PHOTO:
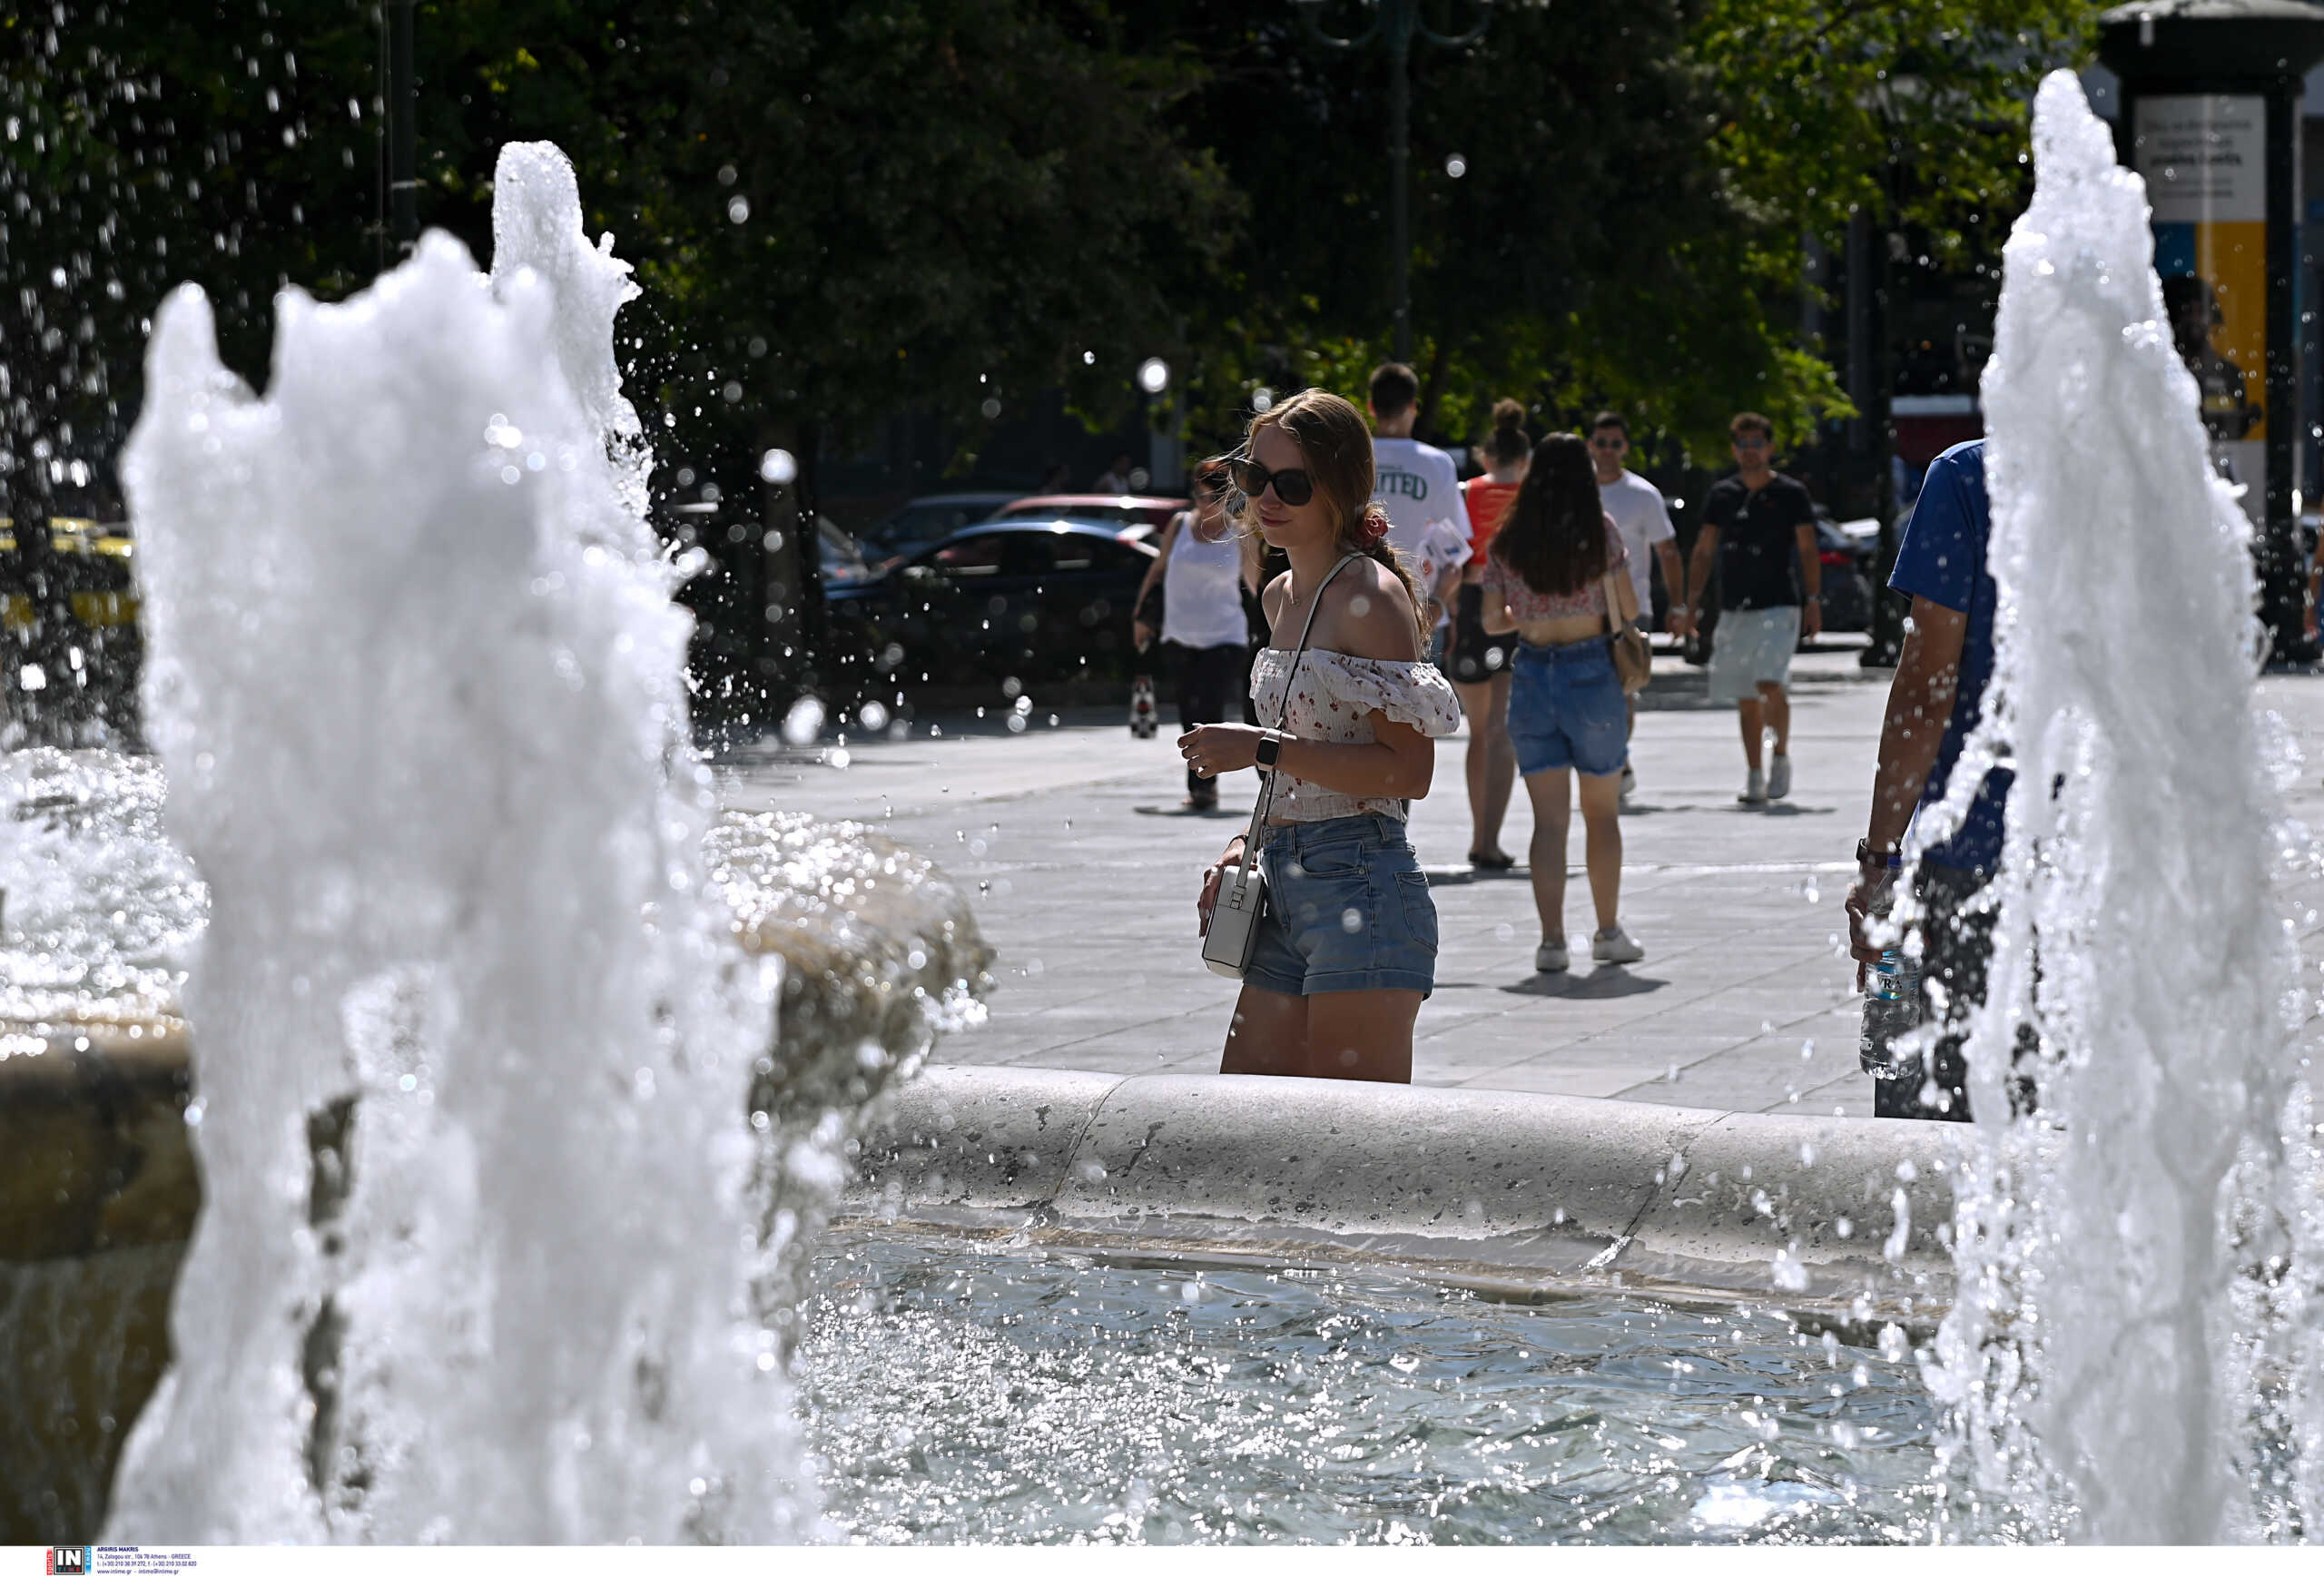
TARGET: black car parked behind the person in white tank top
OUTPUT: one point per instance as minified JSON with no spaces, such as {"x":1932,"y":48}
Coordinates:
{"x":1019,"y":598}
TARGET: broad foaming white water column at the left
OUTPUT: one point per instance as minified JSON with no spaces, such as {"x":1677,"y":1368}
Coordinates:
{"x":473,"y":1032}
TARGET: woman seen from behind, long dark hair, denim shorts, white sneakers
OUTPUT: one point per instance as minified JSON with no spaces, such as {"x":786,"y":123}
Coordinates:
{"x":1549,"y":575}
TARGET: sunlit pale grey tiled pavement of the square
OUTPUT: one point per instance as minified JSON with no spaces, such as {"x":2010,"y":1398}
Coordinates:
{"x":1744,"y":1000}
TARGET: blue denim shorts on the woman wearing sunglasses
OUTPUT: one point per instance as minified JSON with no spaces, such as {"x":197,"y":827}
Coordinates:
{"x":1347,"y":912}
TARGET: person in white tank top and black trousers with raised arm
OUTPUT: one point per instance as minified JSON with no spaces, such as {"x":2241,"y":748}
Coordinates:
{"x":1203,"y":570}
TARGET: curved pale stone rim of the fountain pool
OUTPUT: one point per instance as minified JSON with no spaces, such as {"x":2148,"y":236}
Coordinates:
{"x":1528,"y":1193}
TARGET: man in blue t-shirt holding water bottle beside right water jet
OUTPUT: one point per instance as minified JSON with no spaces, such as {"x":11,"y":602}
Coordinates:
{"x":1935,"y":700}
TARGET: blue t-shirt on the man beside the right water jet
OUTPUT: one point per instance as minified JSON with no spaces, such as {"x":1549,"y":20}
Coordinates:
{"x":1944,"y":561}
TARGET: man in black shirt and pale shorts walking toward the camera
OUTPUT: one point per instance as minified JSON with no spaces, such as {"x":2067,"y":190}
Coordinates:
{"x":1760,"y":524}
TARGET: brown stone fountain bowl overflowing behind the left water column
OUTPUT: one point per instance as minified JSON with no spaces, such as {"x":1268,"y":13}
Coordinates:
{"x":101,"y":1188}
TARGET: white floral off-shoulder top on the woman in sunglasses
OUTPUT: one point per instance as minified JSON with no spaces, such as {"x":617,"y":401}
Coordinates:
{"x":1333,"y":700}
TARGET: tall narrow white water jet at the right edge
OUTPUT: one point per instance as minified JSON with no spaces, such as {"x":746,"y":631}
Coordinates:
{"x":2130,"y":1355}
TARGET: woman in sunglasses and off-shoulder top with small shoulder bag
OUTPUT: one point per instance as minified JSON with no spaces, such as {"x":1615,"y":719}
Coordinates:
{"x":1349,"y":946}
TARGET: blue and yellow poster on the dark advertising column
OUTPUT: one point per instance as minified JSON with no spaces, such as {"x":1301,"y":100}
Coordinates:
{"x":2207,"y":166}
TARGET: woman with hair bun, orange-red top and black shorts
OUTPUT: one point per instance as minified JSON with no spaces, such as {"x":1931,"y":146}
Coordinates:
{"x":1477,"y":661}
